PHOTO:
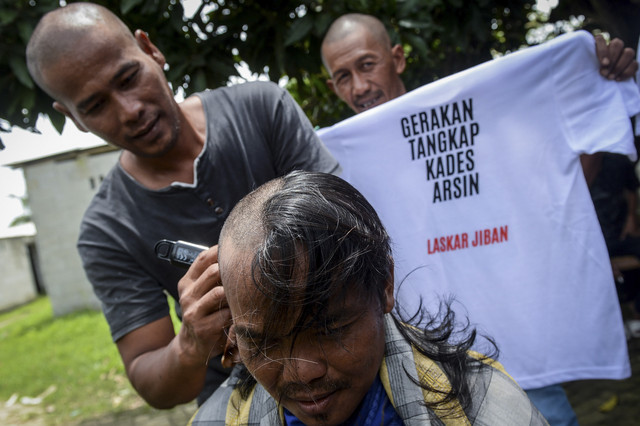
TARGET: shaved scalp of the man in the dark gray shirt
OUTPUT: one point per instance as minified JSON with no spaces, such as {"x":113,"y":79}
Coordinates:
{"x":59,"y":32}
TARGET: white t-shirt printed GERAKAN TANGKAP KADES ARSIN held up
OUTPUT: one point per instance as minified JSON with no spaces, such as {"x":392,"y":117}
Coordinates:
{"x":478,"y":180}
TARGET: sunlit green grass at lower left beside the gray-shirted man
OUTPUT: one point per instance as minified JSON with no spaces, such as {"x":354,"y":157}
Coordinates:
{"x":69,"y":361}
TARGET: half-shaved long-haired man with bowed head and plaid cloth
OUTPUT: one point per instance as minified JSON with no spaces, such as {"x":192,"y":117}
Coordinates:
{"x":307,"y":270}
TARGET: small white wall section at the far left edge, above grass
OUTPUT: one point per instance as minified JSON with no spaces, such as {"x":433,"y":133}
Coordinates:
{"x":17,"y":283}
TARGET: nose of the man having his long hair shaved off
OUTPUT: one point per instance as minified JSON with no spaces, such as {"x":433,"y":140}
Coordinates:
{"x":305,"y":364}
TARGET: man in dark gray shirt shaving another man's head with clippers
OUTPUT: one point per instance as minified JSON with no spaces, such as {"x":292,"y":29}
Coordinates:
{"x":182,"y":168}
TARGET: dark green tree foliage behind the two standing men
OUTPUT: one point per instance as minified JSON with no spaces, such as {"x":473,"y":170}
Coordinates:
{"x":281,"y":38}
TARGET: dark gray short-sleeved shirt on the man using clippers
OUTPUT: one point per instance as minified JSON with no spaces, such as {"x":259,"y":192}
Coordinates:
{"x":255,"y":132}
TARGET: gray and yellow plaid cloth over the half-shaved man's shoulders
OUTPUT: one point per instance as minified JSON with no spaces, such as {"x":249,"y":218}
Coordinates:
{"x":496,"y":397}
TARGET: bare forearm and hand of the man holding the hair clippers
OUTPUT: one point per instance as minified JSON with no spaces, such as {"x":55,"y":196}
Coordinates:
{"x":168,"y":369}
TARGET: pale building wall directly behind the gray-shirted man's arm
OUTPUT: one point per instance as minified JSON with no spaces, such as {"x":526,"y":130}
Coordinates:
{"x":59,"y":192}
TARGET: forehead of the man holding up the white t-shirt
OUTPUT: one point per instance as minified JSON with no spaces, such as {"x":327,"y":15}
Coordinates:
{"x":356,"y":46}
